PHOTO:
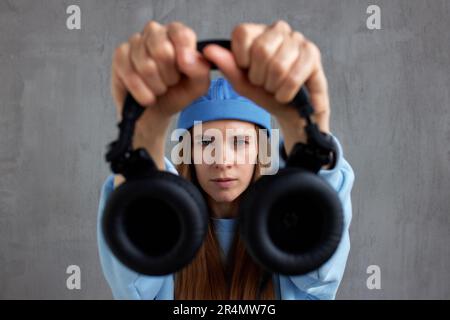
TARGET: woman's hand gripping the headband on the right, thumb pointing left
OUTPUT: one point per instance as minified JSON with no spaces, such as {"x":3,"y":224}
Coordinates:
{"x":269,"y":64}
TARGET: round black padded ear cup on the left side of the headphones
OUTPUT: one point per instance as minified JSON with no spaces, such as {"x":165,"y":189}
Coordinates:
{"x":155,"y":225}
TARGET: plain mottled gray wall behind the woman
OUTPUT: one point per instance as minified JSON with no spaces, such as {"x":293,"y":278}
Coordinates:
{"x":390,"y":110}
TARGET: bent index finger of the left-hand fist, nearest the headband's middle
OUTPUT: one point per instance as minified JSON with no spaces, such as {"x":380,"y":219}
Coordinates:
{"x":188,"y":59}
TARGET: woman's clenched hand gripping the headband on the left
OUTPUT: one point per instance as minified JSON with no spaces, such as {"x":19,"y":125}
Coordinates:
{"x":162,"y":70}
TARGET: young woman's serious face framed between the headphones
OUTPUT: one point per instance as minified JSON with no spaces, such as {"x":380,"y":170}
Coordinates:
{"x":234,"y":158}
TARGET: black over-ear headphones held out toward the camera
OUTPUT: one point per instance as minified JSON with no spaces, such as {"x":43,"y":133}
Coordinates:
{"x":156,"y":221}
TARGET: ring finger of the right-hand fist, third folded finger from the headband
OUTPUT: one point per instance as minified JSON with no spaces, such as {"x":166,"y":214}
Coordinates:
{"x":282,"y":62}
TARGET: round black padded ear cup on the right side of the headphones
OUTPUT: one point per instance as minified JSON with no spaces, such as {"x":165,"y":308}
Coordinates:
{"x":291,"y":222}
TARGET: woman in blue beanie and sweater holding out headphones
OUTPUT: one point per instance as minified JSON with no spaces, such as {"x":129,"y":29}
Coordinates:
{"x":266,"y":67}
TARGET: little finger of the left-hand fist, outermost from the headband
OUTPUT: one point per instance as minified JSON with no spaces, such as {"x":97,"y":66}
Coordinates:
{"x":130,"y":78}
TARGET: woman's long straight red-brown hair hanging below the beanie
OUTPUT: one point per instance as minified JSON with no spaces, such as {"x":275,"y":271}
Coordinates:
{"x":206,"y":277}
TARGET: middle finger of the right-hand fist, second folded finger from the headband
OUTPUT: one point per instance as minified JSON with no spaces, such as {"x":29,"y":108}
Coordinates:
{"x":263,"y":49}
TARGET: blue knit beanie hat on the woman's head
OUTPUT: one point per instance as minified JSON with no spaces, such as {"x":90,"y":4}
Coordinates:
{"x":220,"y":103}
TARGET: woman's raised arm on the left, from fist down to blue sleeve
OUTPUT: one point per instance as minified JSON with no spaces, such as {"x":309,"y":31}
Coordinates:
{"x":161,"y":68}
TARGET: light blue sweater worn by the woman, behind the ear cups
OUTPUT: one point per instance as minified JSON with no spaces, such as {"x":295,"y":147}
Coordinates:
{"x":318,"y":284}
